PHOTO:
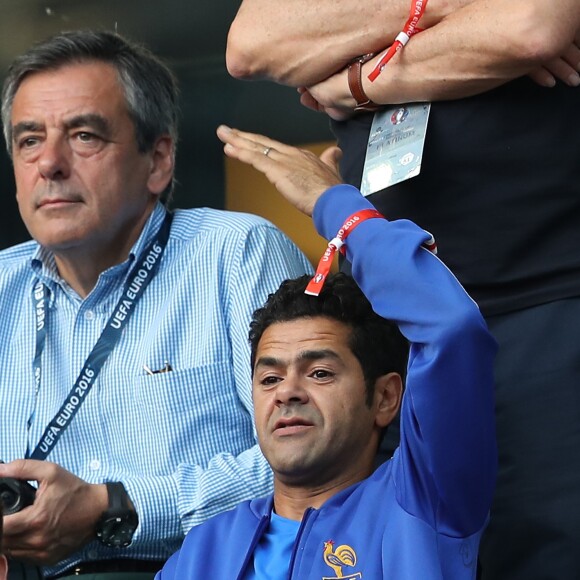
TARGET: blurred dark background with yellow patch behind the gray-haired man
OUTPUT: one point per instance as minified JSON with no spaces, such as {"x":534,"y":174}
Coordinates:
{"x":190,"y":36}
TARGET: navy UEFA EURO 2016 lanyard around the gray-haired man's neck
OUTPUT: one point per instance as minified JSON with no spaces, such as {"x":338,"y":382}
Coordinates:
{"x":141,"y":274}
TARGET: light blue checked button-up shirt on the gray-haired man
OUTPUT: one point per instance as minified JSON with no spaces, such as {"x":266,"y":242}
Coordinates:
{"x":183,"y":441}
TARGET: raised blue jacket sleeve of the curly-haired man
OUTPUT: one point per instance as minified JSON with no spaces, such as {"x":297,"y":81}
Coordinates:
{"x":445,"y":468}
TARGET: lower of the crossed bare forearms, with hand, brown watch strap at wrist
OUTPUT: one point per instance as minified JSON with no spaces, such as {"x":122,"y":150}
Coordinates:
{"x":472,"y":50}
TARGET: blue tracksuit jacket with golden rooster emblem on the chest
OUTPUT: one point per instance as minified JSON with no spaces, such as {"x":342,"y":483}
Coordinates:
{"x":420,"y":515}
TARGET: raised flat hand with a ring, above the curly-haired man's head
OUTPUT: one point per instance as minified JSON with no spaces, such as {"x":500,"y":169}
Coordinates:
{"x":299,"y":175}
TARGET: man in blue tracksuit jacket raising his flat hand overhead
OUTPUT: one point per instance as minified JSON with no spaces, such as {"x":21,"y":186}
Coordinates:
{"x":332,"y":515}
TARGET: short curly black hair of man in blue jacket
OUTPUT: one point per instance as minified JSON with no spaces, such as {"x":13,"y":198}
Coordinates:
{"x":376,"y":342}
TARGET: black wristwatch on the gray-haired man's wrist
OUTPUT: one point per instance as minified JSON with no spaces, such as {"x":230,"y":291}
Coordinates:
{"x":119,"y":522}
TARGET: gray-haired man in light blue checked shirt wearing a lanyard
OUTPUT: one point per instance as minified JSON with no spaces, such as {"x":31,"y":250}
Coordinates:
{"x":126,"y":387}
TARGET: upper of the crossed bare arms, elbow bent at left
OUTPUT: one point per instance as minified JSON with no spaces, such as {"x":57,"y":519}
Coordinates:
{"x":304,"y":42}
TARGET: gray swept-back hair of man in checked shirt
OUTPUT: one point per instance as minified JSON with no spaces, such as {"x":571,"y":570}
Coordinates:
{"x":150,"y":88}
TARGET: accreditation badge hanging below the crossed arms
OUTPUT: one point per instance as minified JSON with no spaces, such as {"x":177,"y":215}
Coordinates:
{"x":395,"y":147}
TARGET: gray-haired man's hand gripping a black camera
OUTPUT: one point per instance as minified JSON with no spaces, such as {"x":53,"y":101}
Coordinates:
{"x":61,"y":520}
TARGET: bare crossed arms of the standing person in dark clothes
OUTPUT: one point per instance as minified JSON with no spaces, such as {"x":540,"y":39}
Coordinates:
{"x":467,"y":47}
